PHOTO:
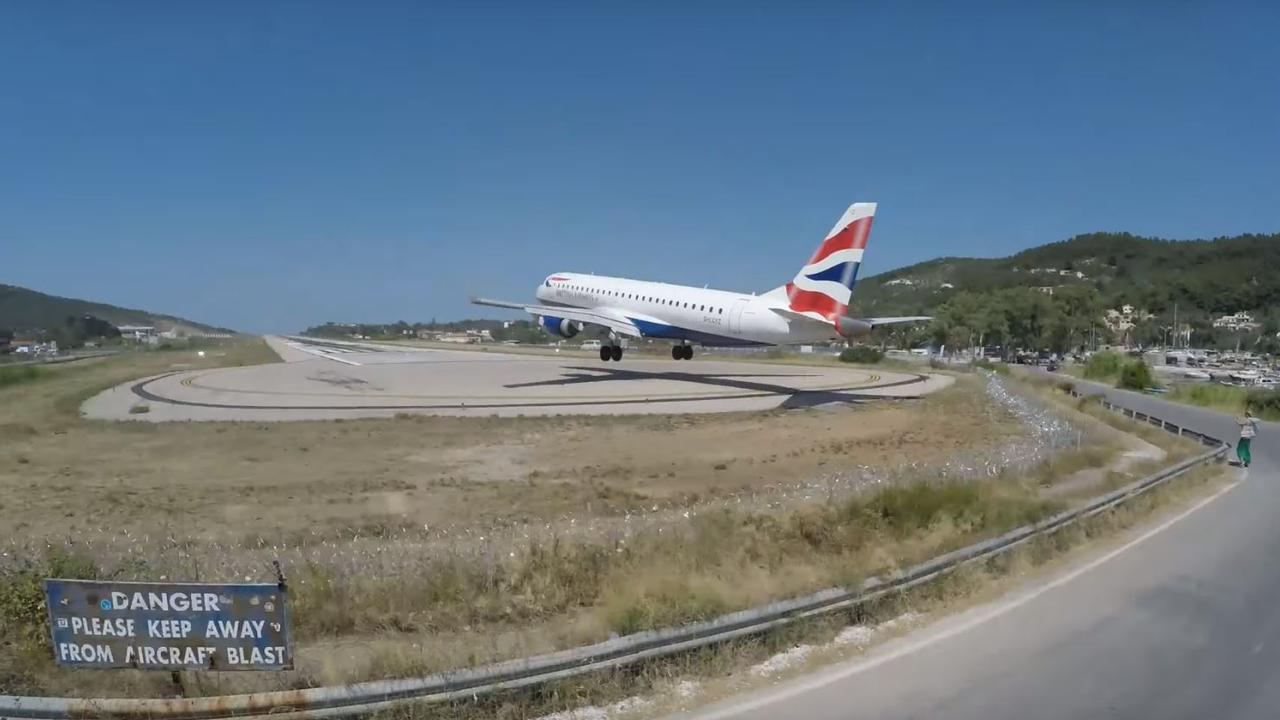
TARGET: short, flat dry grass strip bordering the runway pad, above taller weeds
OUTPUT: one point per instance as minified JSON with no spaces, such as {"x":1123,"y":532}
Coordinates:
{"x":228,"y":481}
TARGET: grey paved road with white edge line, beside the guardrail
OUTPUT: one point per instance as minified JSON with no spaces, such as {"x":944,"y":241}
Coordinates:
{"x":1183,"y":625}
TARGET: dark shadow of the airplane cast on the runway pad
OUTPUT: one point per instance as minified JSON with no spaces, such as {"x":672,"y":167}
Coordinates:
{"x":797,"y":398}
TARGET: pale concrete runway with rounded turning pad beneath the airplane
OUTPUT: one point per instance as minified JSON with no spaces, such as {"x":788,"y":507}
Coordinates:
{"x":337,"y":380}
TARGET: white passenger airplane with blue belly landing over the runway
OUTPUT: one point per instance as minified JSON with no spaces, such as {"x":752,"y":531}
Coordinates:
{"x":812,"y":308}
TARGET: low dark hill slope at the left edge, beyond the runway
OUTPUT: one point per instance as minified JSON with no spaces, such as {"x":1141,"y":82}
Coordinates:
{"x":26,"y":311}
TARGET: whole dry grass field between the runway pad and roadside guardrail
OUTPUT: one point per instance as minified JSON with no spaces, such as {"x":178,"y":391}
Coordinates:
{"x":424,"y":544}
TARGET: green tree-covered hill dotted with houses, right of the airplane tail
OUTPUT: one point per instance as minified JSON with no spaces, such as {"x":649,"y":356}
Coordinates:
{"x":1212,"y":276}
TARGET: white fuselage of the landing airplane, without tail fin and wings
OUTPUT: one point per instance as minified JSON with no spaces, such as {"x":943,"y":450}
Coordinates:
{"x":700,"y":316}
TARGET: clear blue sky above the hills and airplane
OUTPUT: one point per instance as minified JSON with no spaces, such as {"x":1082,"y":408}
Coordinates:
{"x":269,"y":166}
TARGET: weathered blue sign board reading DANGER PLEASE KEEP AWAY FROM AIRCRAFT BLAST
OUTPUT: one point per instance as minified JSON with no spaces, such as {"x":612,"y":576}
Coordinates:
{"x":170,"y":626}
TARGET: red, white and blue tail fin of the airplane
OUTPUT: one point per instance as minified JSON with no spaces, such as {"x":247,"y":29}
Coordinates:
{"x":826,"y":284}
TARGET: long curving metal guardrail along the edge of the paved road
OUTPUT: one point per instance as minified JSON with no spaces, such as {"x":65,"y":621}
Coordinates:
{"x":464,"y":685}
